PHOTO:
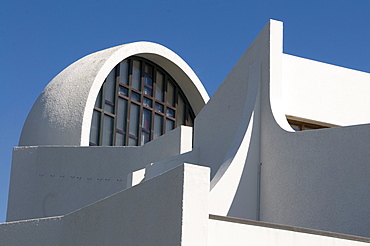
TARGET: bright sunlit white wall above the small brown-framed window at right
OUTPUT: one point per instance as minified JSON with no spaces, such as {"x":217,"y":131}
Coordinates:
{"x":324,"y":92}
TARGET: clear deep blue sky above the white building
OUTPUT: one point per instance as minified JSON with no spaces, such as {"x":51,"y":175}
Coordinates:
{"x":39,"y":38}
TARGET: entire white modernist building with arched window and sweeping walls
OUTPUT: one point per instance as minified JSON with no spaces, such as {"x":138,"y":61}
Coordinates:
{"x":125,"y":147}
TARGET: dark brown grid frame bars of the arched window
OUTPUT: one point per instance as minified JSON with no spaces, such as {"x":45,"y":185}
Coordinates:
{"x":188,"y":116}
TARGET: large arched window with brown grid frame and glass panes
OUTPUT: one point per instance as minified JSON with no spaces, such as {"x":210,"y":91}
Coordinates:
{"x":137,"y":103}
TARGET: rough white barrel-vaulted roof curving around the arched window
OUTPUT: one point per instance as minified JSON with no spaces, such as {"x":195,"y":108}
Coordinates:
{"x":62,"y":113}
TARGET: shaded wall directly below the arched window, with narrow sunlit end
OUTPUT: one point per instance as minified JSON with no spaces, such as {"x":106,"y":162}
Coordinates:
{"x":50,"y":181}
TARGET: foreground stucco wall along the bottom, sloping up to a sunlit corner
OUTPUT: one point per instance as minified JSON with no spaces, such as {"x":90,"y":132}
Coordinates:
{"x":169,"y":209}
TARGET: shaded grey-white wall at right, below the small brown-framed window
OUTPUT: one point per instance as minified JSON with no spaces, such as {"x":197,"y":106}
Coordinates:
{"x":317,"y":179}
